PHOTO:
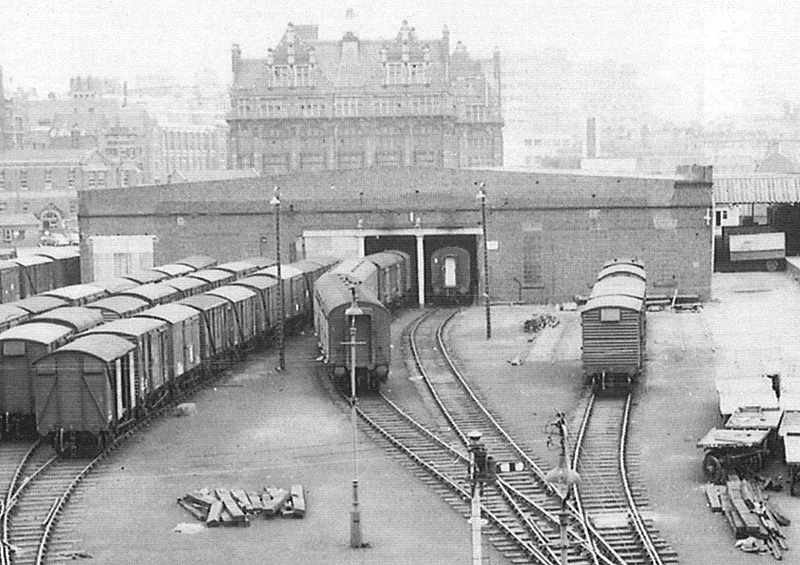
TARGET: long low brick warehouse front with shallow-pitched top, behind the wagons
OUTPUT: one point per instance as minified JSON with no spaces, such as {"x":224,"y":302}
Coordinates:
{"x":548,"y":233}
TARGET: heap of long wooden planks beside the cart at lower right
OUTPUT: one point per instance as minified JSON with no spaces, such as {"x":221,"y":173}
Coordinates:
{"x":750,"y":514}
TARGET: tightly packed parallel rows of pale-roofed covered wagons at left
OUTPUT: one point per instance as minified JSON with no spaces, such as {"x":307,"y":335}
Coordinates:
{"x":84,"y":362}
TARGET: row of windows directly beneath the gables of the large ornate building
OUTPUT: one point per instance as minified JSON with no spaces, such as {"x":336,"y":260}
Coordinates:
{"x":342,"y":106}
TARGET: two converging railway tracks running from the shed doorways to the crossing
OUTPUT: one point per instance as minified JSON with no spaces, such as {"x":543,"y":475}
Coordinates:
{"x":521,"y":508}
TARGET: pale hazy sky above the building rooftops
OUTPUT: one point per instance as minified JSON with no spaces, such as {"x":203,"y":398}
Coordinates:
{"x":44,"y":42}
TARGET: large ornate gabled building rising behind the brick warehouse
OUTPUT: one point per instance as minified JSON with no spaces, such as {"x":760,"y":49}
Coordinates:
{"x":356,"y":103}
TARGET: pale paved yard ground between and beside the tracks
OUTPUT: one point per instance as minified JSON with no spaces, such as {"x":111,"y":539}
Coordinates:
{"x":262,"y":427}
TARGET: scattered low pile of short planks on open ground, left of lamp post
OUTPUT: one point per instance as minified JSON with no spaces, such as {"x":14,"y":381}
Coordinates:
{"x":233,"y":507}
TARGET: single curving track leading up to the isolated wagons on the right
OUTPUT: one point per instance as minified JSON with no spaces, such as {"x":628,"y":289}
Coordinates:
{"x":605,"y":492}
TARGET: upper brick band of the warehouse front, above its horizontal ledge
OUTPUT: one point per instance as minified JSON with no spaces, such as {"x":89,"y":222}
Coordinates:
{"x":388,"y":189}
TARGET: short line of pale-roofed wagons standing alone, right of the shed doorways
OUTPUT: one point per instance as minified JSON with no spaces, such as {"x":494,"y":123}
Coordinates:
{"x":614,"y":324}
